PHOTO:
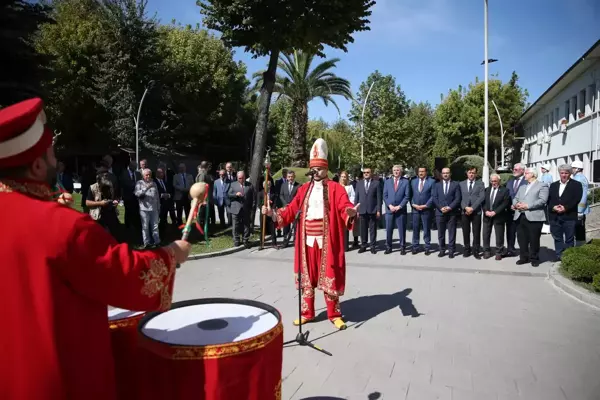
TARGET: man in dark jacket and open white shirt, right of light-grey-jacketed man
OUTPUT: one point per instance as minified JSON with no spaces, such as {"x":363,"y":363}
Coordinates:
{"x":563,"y":199}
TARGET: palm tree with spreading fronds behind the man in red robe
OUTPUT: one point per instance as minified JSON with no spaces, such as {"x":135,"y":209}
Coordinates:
{"x":300,"y":85}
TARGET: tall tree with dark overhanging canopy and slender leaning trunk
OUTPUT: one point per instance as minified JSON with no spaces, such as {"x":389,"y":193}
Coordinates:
{"x":268,"y":28}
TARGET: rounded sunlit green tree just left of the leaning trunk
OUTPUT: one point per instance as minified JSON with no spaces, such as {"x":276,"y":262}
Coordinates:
{"x":197,"y":69}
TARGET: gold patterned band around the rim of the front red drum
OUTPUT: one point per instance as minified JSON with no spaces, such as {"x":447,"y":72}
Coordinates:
{"x":228,"y":349}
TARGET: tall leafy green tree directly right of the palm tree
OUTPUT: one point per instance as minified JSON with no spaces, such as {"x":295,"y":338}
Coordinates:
{"x":385,"y":138}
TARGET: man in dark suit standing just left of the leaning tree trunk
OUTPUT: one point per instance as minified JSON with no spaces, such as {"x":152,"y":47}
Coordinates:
{"x":242,"y":202}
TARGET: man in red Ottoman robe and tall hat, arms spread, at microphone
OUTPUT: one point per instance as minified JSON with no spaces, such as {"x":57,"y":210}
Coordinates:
{"x":326,"y":212}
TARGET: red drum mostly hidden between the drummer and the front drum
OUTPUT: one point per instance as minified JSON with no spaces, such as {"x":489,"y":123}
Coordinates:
{"x":123,"y":326}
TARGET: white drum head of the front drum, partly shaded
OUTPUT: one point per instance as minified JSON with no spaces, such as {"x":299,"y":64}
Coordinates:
{"x":209,"y":322}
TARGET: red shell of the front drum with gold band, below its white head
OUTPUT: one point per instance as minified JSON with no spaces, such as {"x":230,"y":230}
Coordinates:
{"x":249,"y":369}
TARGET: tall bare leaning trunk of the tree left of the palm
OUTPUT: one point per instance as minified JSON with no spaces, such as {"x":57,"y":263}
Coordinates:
{"x":260,"y":137}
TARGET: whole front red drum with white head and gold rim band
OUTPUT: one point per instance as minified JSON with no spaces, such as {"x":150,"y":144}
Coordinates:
{"x":213,"y":349}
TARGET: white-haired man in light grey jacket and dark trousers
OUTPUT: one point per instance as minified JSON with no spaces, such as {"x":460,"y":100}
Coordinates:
{"x":529,"y":205}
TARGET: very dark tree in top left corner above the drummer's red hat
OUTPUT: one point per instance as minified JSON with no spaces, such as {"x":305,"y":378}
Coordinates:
{"x":22,"y":69}
